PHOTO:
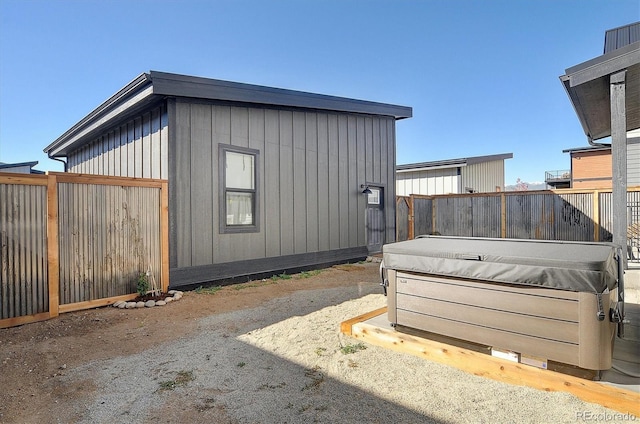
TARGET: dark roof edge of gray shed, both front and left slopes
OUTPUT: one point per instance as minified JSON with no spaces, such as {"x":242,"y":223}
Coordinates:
{"x":147,"y":88}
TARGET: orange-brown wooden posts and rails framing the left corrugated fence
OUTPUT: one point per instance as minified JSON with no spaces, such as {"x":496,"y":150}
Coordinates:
{"x":51,"y":181}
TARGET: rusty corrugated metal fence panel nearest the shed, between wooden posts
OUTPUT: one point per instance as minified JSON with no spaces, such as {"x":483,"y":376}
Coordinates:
{"x":108,"y":235}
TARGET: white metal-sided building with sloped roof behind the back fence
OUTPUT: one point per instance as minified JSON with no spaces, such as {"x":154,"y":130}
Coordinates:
{"x":479,"y":174}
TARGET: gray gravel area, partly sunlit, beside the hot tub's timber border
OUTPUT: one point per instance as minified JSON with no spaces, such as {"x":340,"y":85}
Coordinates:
{"x":285,"y":361}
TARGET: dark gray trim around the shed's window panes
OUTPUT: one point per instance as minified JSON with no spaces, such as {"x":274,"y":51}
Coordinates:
{"x":222,"y":186}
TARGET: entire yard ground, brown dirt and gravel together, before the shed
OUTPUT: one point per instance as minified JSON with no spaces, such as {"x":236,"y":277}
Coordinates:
{"x":265,"y":351}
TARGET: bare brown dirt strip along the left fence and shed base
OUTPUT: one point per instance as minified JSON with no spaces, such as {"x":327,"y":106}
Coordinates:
{"x":34,"y":358}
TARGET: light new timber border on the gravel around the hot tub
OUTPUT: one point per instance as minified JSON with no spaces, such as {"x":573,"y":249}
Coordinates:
{"x":483,"y":365}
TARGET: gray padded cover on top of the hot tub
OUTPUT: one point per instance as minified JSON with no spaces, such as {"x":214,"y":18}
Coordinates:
{"x":564,"y":265}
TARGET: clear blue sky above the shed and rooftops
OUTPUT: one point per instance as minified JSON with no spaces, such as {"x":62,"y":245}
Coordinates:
{"x":481,"y":76}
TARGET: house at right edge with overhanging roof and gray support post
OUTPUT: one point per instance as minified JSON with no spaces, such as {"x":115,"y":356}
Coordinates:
{"x":605,"y":93}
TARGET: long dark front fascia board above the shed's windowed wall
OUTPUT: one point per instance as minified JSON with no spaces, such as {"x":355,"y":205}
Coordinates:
{"x":211,"y":89}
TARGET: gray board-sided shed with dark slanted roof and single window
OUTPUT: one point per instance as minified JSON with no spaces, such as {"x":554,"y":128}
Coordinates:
{"x":261,"y":180}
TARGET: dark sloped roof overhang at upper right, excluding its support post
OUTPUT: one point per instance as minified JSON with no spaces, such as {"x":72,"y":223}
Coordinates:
{"x":587,"y":86}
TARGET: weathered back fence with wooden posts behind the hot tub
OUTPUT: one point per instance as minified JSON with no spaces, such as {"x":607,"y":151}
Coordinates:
{"x":569,"y":214}
